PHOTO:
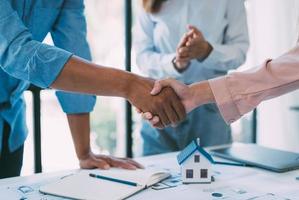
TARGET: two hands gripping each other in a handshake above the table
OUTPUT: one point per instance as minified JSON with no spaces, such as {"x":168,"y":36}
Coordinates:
{"x":166,"y":102}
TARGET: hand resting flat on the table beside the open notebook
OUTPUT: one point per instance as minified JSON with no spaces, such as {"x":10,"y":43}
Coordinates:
{"x":91,"y":161}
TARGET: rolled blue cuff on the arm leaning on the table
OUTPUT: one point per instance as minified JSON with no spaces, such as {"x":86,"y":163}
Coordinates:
{"x":72,"y":103}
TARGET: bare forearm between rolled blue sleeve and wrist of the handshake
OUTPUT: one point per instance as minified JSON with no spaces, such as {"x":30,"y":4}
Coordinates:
{"x":79,"y":75}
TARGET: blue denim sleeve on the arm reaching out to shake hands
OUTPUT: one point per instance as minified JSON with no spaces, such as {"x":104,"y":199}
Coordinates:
{"x":24,"y":58}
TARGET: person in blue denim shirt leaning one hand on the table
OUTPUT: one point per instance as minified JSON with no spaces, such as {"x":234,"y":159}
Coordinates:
{"x":25,"y":59}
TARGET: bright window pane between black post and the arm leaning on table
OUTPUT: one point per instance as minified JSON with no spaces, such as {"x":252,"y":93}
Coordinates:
{"x":57,"y":146}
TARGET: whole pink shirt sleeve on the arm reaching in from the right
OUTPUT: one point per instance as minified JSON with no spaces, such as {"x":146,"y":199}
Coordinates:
{"x":240,"y":92}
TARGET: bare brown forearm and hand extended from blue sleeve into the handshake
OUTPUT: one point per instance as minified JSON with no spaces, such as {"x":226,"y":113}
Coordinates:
{"x":79,"y":75}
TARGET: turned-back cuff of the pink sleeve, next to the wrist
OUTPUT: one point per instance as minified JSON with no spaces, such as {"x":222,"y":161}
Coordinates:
{"x":224,"y":100}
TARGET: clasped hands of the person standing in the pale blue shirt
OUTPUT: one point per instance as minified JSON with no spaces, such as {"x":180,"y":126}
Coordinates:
{"x":195,"y":46}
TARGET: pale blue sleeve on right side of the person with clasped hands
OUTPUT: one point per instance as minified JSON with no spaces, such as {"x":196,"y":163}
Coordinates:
{"x":232,"y":52}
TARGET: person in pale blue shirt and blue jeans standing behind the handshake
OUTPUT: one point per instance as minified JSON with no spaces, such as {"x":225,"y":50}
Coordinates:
{"x":221,"y":45}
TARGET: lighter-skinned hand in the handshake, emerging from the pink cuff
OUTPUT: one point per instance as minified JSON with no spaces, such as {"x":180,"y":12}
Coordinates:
{"x":191,"y":96}
